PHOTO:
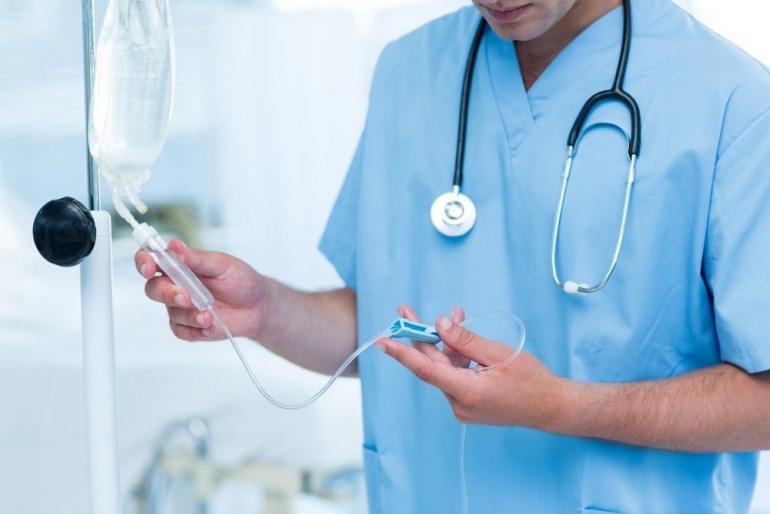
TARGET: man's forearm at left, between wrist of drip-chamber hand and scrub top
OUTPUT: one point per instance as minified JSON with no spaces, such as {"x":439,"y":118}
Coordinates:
{"x":314,"y":330}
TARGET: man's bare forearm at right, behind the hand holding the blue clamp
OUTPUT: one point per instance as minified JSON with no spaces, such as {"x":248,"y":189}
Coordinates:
{"x":722,"y":408}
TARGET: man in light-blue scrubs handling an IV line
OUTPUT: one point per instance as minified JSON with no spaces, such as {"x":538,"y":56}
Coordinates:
{"x":651,"y":395}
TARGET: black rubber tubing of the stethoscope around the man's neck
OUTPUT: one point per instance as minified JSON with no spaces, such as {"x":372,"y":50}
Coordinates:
{"x":616,"y":93}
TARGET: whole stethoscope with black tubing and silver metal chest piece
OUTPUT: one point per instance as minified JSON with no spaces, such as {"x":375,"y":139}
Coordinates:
{"x":454,"y":214}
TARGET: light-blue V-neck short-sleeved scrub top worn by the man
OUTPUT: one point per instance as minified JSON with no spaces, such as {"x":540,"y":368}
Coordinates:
{"x":689,"y":290}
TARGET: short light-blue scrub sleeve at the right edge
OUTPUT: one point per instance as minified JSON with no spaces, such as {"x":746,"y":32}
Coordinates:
{"x":737,"y":253}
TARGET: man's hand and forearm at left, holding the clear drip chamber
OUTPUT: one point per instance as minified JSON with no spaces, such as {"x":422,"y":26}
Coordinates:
{"x":313,"y":330}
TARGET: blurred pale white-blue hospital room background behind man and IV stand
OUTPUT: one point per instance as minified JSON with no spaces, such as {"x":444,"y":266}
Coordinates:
{"x":270,"y":100}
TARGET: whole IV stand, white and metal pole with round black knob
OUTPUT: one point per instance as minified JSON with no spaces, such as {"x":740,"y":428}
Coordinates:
{"x":67,"y":233}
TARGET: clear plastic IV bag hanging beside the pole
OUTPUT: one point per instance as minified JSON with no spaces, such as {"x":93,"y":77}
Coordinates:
{"x":132,"y":95}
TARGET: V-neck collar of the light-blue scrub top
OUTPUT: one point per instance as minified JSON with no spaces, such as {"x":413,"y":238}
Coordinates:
{"x":519,"y":109}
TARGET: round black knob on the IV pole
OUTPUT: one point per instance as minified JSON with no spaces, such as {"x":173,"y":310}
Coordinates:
{"x":64,"y":232}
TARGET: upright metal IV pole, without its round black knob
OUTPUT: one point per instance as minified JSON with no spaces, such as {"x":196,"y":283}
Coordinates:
{"x":97,"y":325}
